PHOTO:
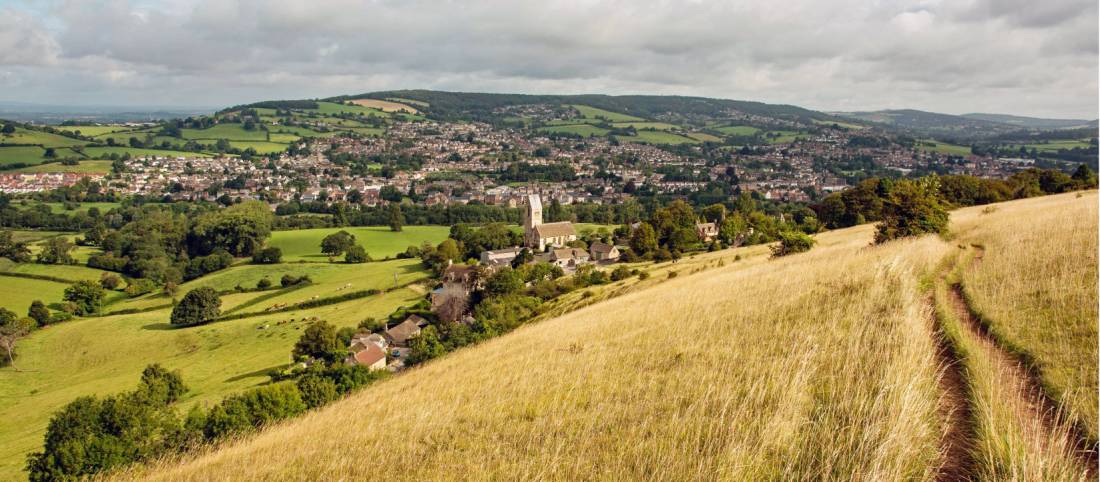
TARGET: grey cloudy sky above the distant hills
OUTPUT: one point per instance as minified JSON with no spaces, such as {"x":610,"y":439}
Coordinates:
{"x":1013,"y":57}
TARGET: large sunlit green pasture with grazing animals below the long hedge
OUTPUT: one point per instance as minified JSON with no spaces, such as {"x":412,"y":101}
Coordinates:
{"x":106,"y":355}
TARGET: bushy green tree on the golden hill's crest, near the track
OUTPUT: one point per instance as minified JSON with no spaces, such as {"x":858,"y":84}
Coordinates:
{"x":912,"y":209}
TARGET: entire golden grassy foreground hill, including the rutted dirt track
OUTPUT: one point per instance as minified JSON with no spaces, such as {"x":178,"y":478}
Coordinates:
{"x":889,"y":363}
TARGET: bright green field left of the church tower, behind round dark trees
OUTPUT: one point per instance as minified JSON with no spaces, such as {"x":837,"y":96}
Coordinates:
{"x":380,"y":242}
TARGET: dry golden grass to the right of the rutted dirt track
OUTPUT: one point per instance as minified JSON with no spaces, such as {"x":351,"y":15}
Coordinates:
{"x":1037,"y":287}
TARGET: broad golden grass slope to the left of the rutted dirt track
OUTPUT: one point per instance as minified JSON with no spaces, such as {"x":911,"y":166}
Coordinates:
{"x":820,"y":366}
